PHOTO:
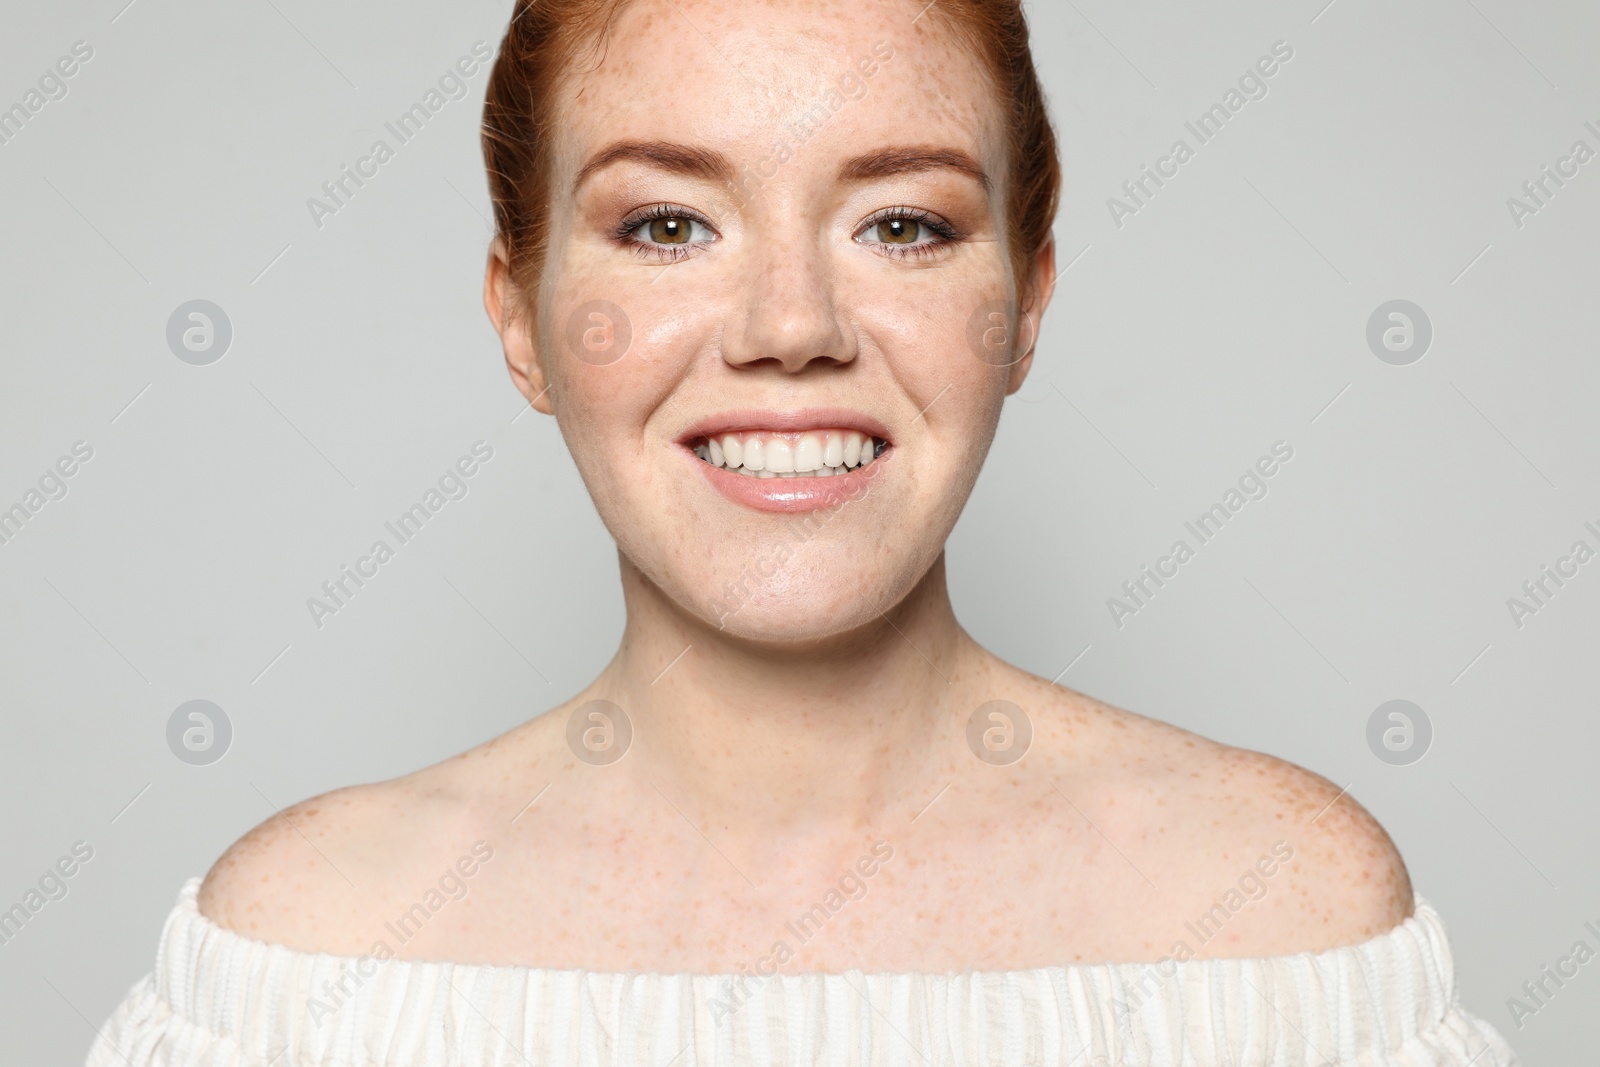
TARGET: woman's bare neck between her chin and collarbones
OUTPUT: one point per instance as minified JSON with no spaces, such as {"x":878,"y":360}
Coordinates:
{"x":775,"y":741}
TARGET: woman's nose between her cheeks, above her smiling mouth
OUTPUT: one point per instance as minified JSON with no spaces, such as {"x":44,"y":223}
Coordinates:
{"x":791,"y":316}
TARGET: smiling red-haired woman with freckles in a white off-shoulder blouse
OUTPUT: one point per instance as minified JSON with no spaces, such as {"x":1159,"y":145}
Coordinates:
{"x":775,"y":268}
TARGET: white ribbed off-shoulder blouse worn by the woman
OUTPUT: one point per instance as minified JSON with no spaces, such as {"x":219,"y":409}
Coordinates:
{"x":223,"y":1001}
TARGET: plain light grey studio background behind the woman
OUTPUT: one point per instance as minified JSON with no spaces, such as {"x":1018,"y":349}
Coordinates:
{"x":1228,"y":314}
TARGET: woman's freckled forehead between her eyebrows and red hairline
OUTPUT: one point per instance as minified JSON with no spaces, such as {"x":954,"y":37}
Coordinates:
{"x":745,"y":76}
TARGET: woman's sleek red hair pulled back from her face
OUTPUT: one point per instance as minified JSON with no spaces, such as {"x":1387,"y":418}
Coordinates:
{"x":548,"y":38}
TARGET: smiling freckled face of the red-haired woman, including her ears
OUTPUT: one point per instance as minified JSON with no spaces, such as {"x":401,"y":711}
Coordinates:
{"x":772,"y":316}
